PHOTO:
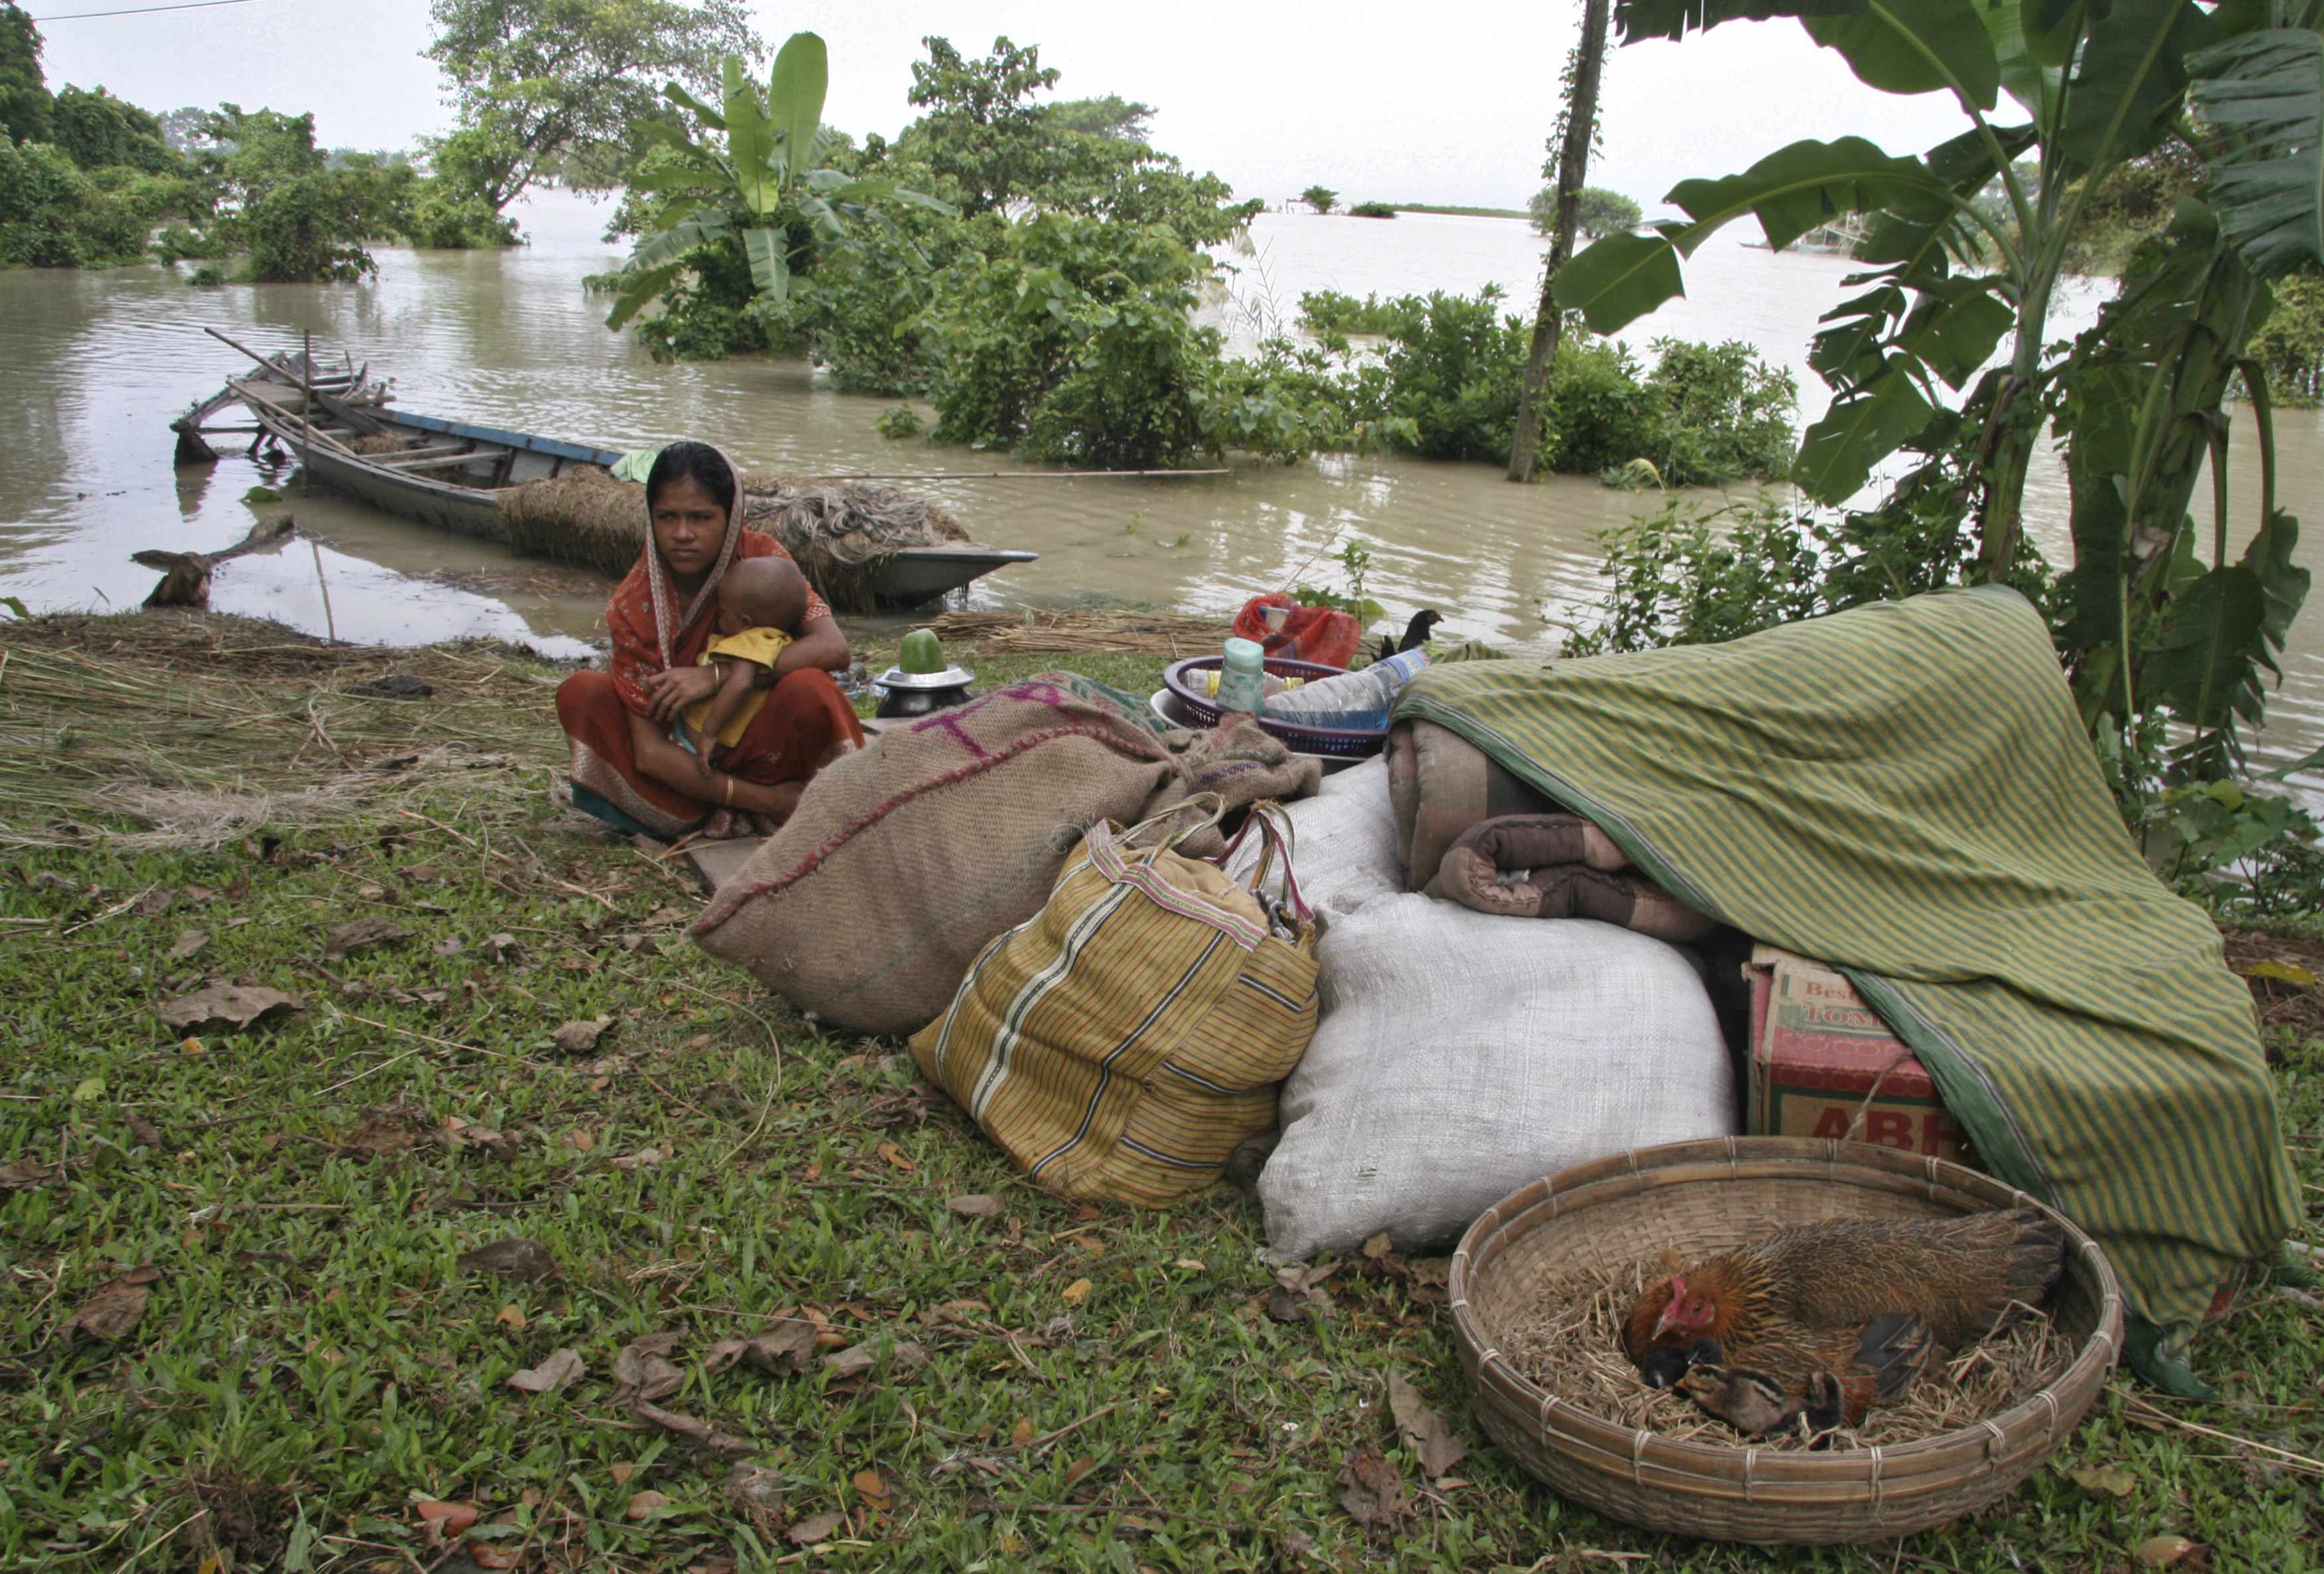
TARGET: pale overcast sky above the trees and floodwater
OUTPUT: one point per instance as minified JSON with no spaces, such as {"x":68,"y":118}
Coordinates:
{"x":1379,"y":101}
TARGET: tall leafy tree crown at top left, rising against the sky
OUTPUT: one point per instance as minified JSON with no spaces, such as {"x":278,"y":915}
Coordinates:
{"x":538,"y":83}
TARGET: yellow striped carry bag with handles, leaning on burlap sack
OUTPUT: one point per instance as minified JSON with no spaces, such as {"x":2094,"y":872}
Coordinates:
{"x":1126,"y":1038}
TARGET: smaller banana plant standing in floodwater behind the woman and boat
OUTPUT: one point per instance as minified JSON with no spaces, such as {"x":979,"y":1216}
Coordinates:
{"x":747,"y":173}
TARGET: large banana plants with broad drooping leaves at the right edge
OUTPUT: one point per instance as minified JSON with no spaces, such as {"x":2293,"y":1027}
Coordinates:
{"x":2056,"y":96}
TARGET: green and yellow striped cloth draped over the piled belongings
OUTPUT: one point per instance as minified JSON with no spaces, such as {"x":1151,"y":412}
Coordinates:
{"x":1907,"y":792}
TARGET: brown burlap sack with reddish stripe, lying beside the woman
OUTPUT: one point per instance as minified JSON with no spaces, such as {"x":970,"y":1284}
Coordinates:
{"x":908,"y":857}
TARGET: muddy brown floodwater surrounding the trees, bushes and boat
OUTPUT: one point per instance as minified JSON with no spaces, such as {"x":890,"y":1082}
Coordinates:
{"x":99,"y":364}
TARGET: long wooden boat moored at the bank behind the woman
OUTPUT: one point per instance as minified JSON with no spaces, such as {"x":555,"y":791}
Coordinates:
{"x":450,"y":473}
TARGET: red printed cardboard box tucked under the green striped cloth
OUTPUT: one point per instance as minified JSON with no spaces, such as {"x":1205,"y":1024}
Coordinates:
{"x":1816,"y":1050}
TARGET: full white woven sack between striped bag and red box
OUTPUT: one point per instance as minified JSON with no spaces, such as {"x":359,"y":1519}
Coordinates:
{"x":1465,"y":1054}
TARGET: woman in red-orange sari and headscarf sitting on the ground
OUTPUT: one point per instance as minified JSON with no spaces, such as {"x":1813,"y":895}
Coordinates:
{"x":626,"y":727}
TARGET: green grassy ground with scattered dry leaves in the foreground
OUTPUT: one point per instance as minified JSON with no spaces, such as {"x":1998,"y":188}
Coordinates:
{"x":317,"y":1382}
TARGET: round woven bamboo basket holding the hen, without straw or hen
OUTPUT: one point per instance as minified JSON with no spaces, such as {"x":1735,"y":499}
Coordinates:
{"x":1714,"y":1196}
